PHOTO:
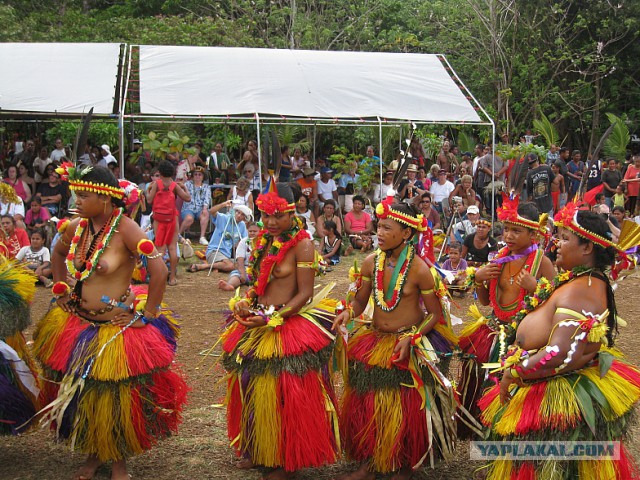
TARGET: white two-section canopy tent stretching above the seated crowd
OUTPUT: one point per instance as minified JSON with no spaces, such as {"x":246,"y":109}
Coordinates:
{"x":261,"y":86}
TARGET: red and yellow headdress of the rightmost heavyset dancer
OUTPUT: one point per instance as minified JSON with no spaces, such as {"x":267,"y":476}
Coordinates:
{"x":629,"y":236}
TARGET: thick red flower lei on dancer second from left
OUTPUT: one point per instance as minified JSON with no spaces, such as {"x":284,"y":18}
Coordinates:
{"x":263,"y":260}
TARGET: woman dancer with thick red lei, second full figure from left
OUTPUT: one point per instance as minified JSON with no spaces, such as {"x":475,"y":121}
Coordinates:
{"x":280,"y":400}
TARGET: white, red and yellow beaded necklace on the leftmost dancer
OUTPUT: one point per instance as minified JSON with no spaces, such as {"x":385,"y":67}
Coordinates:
{"x":95,"y":250}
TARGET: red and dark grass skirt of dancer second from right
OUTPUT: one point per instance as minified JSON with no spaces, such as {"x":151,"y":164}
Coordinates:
{"x":481,"y":341}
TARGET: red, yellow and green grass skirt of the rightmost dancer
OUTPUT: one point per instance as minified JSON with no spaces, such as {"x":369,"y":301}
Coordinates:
{"x":585,"y":405}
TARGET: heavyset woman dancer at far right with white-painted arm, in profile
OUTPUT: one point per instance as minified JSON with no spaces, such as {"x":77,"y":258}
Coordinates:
{"x":561,"y":381}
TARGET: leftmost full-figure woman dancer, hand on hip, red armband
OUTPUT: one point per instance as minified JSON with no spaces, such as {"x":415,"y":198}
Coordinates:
{"x":106,"y":354}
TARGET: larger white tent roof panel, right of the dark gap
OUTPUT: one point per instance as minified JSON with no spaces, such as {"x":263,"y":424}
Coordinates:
{"x":219,"y":81}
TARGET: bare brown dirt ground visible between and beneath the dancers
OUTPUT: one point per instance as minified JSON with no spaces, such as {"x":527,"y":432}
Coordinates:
{"x":201,"y":450}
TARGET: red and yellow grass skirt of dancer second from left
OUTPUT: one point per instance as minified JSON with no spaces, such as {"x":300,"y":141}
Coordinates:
{"x":280,"y":399}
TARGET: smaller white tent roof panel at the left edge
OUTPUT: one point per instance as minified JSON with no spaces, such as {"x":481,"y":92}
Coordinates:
{"x":59,"y":77}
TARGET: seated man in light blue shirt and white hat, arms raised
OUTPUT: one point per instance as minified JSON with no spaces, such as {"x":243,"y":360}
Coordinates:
{"x":229,"y":229}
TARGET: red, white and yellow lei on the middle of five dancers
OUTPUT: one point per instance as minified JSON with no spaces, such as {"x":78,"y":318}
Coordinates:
{"x":400,"y":274}
